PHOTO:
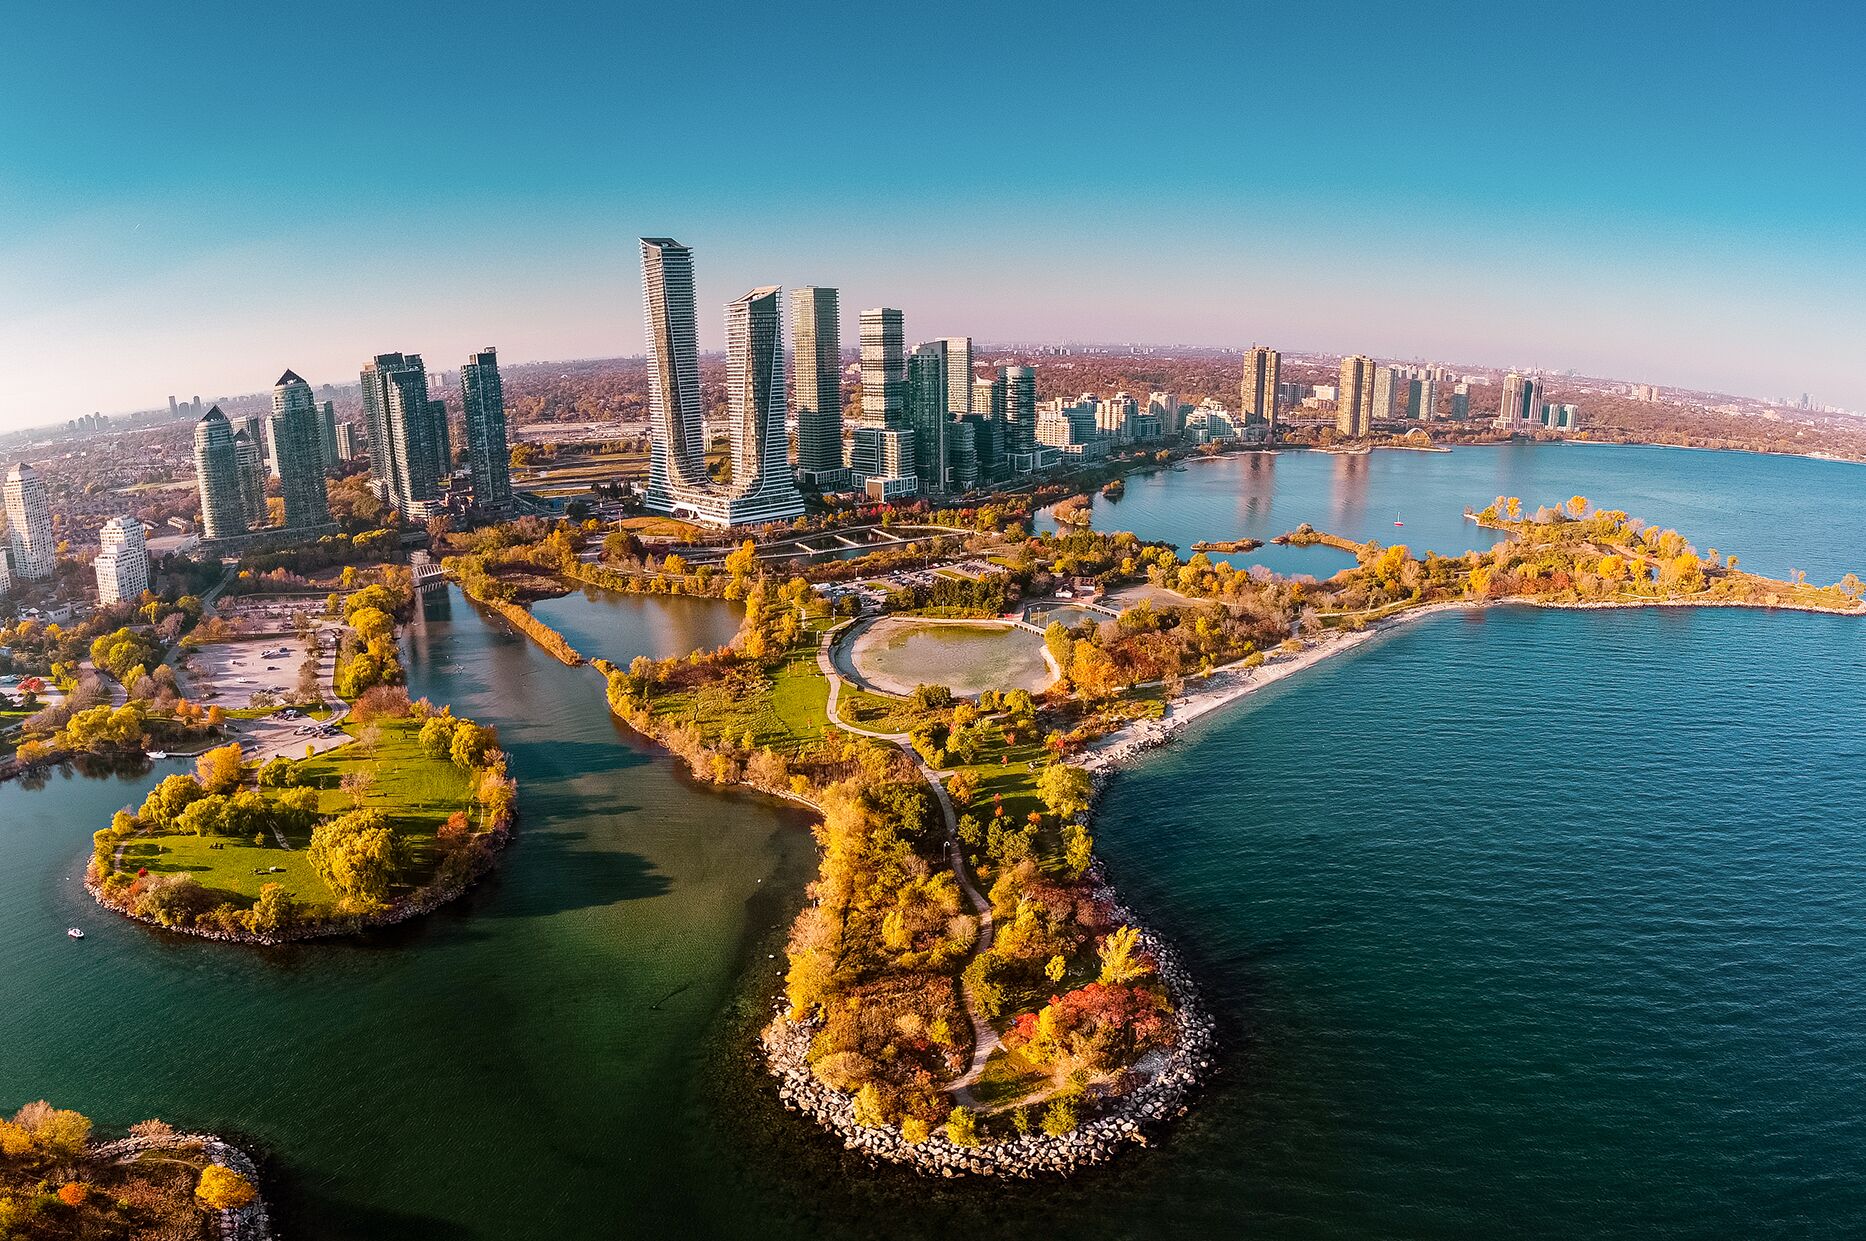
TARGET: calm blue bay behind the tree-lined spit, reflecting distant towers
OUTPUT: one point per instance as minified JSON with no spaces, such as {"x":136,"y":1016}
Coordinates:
{"x":1777,"y":514}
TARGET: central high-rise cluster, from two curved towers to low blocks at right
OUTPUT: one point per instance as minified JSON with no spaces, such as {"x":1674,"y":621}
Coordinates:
{"x":926,"y":426}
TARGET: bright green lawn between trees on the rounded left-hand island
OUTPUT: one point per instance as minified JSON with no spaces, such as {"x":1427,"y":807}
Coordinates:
{"x":413,"y":790}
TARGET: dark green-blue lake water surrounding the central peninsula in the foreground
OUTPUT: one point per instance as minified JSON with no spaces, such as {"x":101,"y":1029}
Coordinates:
{"x":1537,"y":925}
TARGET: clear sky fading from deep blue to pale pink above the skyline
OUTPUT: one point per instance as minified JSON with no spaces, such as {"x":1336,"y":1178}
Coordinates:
{"x":197,"y":197}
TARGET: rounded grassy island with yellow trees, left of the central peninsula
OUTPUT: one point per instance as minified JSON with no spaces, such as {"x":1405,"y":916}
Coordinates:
{"x":374,"y":831}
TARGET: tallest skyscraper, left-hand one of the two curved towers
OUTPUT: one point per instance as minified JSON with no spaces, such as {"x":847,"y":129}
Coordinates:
{"x":676,"y":460}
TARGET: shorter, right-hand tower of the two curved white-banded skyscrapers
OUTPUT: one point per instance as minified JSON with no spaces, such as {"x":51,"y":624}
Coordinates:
{"x":762,"y":486}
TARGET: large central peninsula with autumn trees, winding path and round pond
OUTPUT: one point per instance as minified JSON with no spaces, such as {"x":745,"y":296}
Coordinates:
{"x":966,"y":992}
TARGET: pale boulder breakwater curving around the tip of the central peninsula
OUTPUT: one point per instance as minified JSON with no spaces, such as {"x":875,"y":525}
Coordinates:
{"x":1167,"y":1081}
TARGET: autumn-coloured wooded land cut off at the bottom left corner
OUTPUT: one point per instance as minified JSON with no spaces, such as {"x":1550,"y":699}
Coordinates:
{"x":59,"y":1182}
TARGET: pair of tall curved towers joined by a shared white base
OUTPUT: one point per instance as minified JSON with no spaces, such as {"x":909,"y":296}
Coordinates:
{"x":762,"y":488}
